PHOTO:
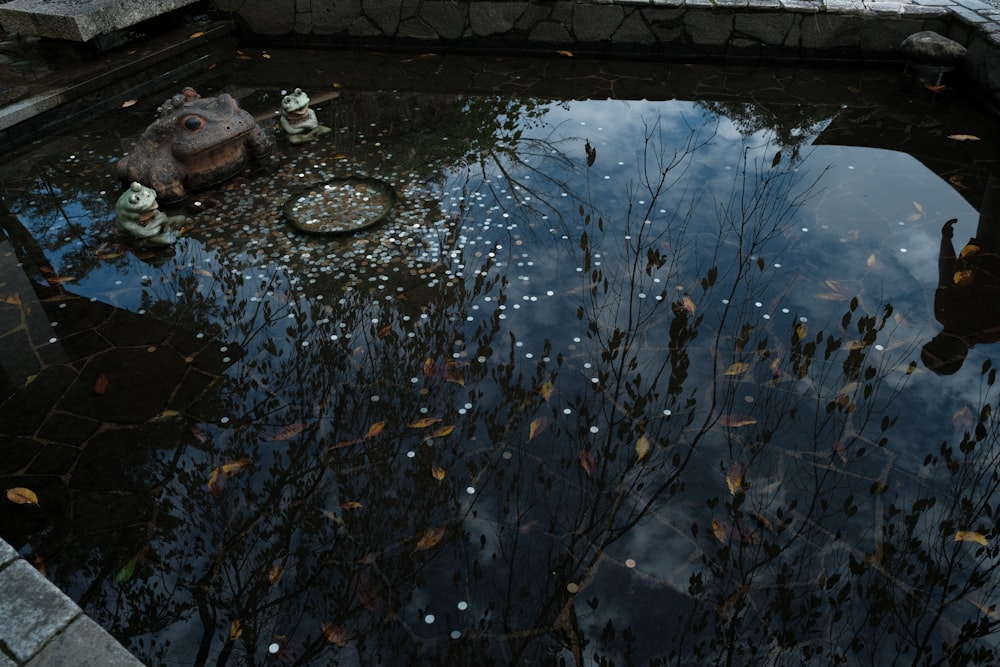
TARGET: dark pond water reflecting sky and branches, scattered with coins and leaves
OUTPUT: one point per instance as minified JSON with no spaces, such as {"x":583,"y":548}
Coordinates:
{"x":633,"y":373}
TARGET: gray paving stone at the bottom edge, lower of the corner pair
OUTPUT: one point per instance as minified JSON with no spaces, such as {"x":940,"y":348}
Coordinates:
{"x":83,"y":644}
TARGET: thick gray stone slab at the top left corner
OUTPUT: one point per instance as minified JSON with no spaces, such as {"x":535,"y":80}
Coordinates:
{"x":80,"y":20}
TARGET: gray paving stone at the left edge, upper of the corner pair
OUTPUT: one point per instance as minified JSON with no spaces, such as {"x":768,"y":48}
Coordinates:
{"x":32,"y":609}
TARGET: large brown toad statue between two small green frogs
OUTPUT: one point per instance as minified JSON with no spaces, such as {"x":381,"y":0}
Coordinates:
{"x":193,"y":144}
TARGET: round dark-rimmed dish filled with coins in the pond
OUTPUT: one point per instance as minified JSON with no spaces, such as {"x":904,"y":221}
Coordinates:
{"x":341,"y":205}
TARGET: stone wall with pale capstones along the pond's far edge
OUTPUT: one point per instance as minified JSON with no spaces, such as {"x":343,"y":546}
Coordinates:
{"x":793,"y":30}
